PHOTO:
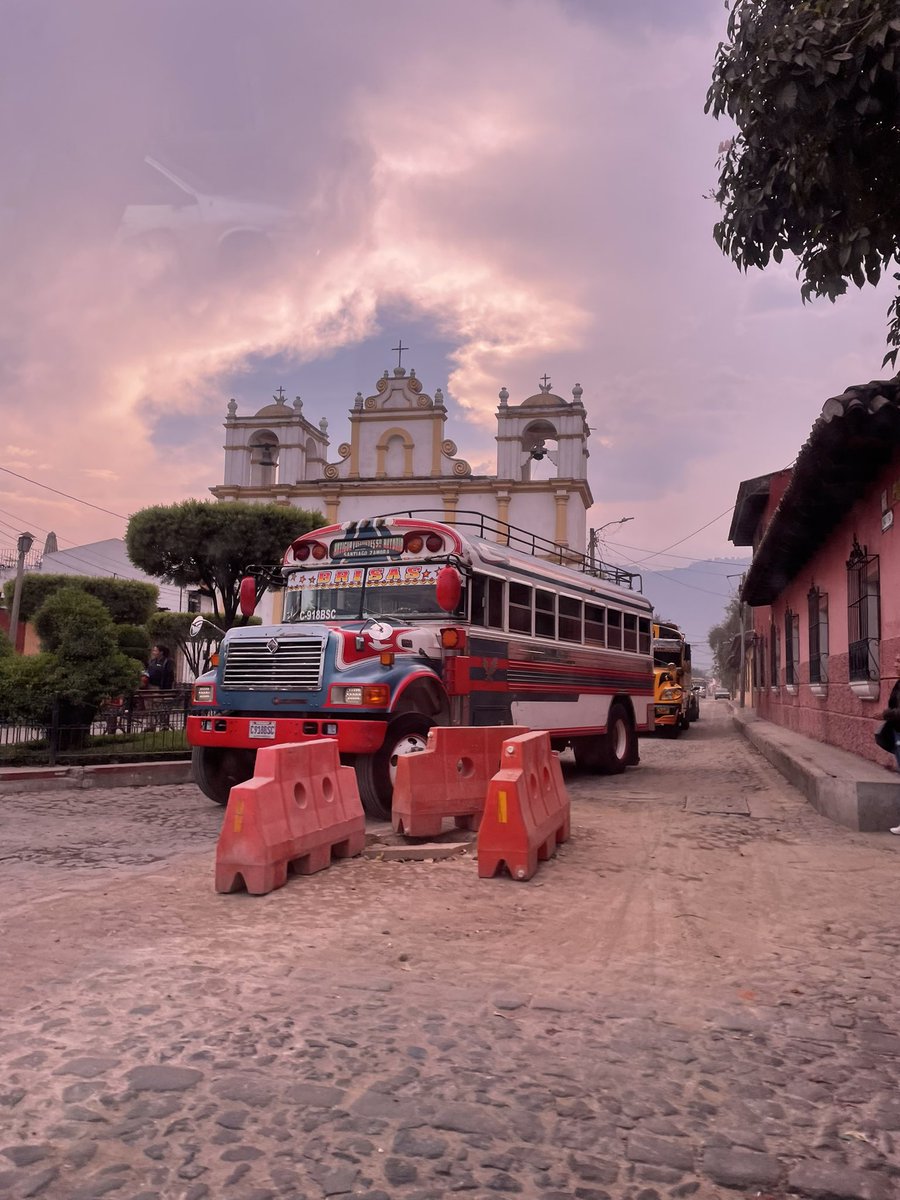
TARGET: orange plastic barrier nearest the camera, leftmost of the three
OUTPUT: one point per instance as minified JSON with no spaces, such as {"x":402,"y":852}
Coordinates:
{"x":301,"y":809}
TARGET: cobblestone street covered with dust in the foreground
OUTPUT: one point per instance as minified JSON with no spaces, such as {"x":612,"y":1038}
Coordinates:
{"x":698,"y":997}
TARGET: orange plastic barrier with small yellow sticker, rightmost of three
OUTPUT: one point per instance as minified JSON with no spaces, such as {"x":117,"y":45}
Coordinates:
{"x":527,"y":809}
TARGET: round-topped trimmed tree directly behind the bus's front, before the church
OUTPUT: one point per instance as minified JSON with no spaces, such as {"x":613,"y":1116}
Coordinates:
{"x":213,"y":545}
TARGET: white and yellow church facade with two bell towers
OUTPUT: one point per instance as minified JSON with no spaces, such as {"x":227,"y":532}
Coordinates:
{"x":399,"y":458}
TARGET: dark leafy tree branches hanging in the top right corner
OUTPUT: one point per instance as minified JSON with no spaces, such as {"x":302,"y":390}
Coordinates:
{"x":814,"y":171}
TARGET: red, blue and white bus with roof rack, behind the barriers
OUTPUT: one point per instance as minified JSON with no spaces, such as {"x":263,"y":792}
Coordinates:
{"x":399,"y":623}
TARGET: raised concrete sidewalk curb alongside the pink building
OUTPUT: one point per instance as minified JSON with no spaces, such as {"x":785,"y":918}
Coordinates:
{"x":844,"y":788}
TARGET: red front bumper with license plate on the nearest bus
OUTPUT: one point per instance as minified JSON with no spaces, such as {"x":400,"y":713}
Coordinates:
{"x":253,"y":733}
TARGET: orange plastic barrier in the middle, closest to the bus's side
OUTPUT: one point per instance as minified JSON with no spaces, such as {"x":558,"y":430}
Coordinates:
{"x":448,"y":779}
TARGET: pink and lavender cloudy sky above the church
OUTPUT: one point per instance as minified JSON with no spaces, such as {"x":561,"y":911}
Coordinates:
{"x":520,"y":183}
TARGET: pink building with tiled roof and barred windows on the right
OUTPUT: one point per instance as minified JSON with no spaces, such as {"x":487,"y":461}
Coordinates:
{"x":825,"y":580}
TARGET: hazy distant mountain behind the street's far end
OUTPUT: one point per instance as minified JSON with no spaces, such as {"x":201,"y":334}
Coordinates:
{"x":695,"y":597}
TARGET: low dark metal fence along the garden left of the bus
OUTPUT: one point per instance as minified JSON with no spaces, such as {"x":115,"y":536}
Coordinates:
{"x":141,"y":728}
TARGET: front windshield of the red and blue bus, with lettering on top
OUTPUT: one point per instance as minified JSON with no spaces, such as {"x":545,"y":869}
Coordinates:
{"x":357,"y":592}
